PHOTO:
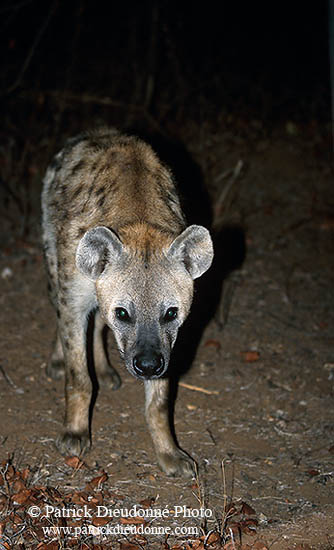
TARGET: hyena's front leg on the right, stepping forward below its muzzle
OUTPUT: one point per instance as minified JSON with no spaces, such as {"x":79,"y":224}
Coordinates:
{"x":171,"y":459}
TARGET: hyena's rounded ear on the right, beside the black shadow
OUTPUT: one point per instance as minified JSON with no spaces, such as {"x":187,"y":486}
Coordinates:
{"x":194,"y":248}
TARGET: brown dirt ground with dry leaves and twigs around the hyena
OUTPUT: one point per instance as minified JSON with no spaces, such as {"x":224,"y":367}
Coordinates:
{"x":260,"y":420}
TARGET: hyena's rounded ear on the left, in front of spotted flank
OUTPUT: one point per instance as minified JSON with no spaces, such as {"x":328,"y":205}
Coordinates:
{"x":97,"y":247}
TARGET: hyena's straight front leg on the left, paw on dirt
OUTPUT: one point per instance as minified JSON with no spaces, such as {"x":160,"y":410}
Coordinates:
{"x":75,"y":438}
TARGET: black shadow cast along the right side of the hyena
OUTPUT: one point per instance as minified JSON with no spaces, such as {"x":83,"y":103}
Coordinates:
{"x":229,"y":254}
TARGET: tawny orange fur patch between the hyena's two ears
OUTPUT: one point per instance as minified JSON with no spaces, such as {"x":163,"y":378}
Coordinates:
{"x":145,"y":239}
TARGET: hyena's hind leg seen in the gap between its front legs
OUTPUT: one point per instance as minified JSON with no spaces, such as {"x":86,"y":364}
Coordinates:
{"x":106,"y":374}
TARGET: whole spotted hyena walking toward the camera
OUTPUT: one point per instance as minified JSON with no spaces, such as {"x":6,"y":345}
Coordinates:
{"x":116,"y":243}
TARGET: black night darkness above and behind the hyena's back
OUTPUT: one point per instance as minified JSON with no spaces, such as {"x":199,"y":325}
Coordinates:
{"x":169,"y":68}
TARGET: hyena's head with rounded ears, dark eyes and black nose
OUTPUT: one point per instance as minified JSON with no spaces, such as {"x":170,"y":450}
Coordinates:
{"x":144,"y":289}
